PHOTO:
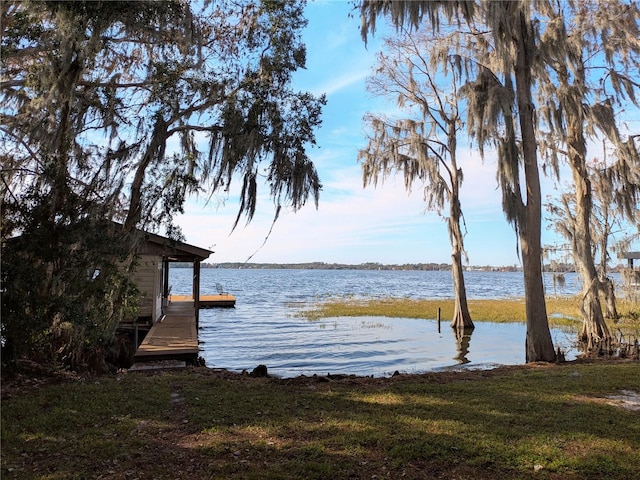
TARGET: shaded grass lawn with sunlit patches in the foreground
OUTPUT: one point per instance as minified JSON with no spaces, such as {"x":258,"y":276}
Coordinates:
{"x":534,"y":421}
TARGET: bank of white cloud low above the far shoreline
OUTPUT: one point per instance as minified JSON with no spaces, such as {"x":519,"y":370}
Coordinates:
{"x":351,"y":225}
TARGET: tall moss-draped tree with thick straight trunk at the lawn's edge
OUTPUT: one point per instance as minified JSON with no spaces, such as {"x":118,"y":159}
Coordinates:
{"x":503,"y":45}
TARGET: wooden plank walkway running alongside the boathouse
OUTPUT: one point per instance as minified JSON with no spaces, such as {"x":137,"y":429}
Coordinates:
{"x":173,"y":338}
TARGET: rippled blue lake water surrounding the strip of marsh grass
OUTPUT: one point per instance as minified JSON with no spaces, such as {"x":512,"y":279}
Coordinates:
{"x":265,"y":327}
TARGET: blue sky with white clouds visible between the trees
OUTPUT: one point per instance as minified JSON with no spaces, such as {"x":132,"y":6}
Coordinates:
{"x":353,"y":224}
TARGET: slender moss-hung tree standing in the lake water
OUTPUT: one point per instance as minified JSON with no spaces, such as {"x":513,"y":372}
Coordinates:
{"x":424,"y":145}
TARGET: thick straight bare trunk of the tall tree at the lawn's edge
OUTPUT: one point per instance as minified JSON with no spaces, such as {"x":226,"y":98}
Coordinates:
{"x":539,"y":346}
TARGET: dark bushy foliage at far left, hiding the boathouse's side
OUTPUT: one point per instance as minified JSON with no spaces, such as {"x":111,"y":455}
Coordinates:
{"x":65,"y":285}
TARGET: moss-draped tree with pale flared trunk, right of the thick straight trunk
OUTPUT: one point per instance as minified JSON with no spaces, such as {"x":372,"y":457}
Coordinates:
{"x":575,"y":101}
